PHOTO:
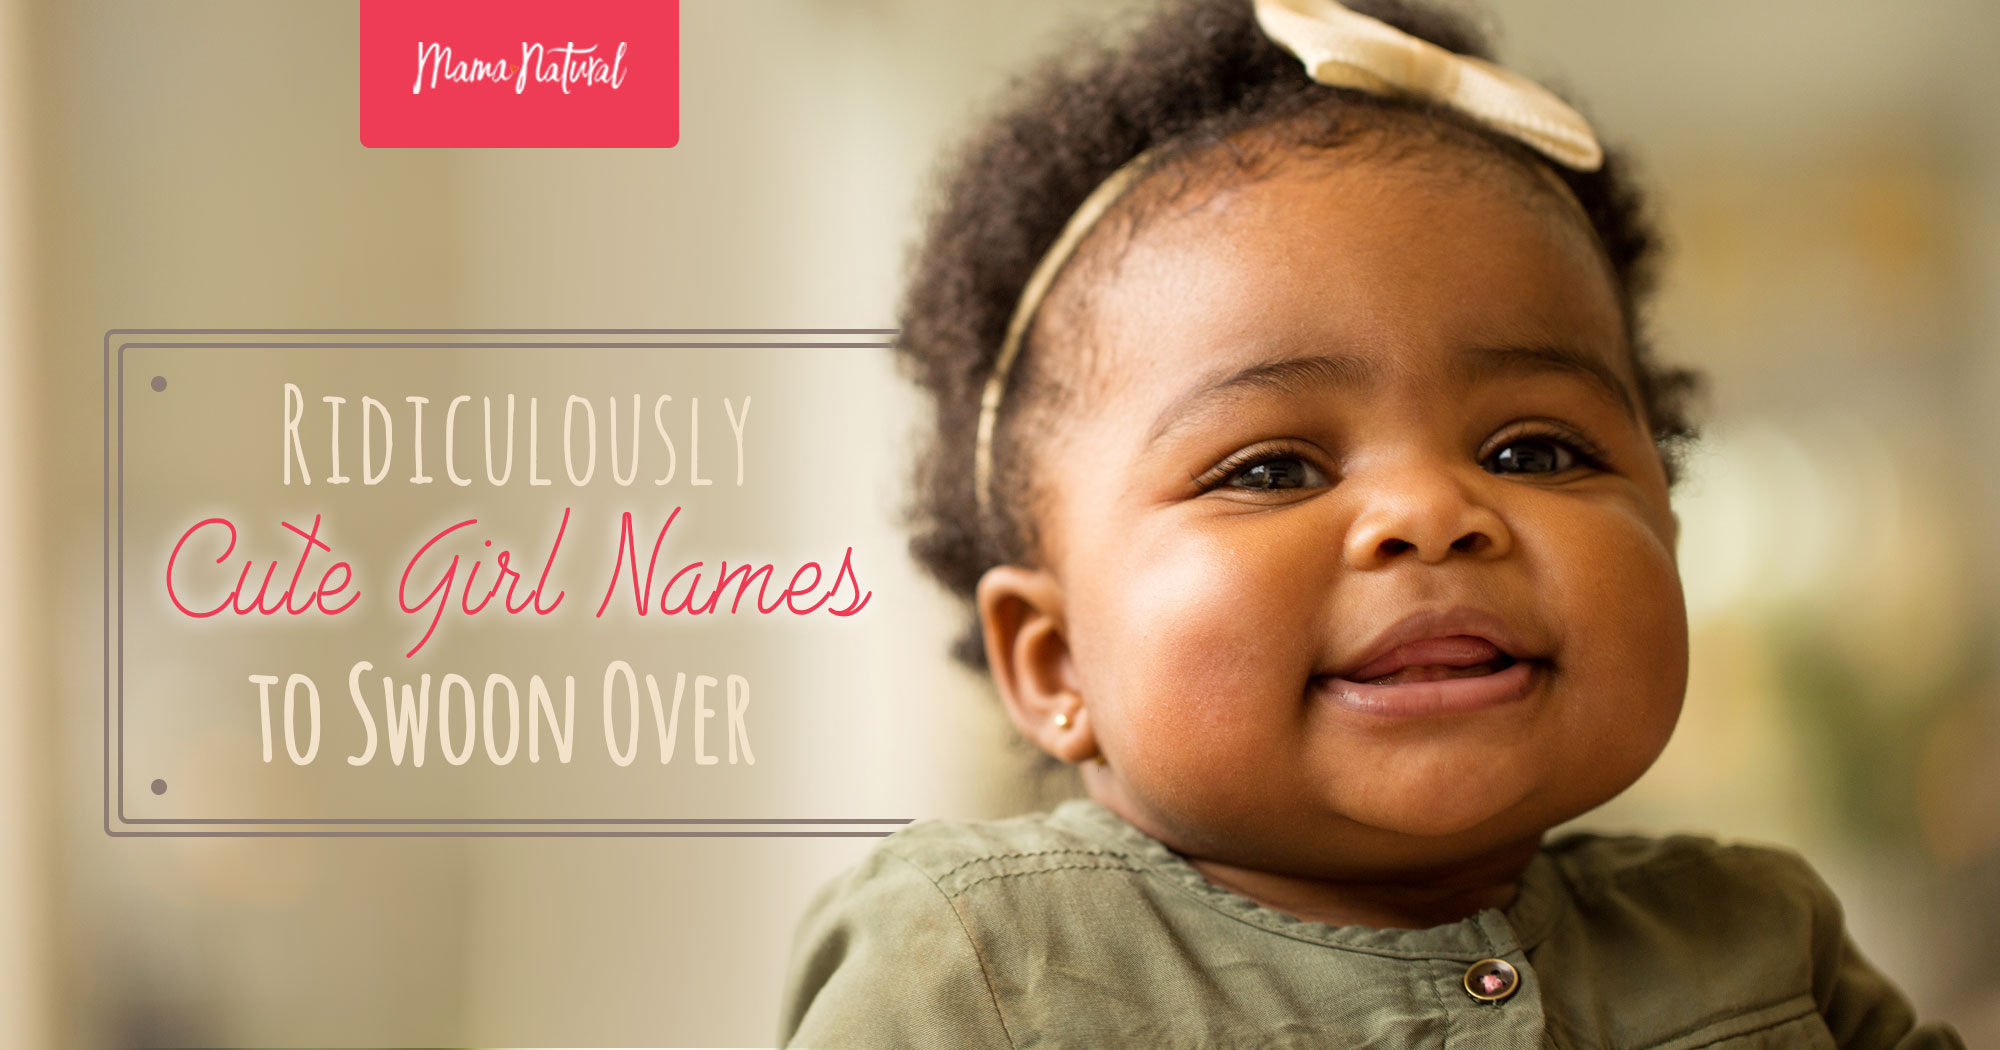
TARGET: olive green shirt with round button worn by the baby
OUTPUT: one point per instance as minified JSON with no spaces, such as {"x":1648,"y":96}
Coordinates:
{"x":1077,"y":929}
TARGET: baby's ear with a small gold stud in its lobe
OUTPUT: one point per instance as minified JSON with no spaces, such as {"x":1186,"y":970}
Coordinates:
{"x":1029,"y":653}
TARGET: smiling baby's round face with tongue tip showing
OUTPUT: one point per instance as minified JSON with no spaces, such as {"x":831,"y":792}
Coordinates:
{"x":1327,"y":401}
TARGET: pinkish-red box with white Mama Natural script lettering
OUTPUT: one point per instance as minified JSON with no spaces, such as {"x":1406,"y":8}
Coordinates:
{"x":519,"y":73}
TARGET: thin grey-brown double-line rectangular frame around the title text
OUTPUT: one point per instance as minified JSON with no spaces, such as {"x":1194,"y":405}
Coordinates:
{"x":387,"y":827}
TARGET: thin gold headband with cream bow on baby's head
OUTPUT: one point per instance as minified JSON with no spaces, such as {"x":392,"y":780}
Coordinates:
{"x":1341,"y":49}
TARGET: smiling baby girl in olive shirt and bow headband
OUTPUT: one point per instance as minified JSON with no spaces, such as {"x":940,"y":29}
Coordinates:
{"x":1305,"y":465}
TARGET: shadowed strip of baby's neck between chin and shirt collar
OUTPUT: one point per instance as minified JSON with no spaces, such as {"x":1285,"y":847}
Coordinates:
{"x":1399,"y":905}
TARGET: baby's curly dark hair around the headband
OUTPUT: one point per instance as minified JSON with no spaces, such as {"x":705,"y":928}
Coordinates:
{"x":1187,"y":85}
